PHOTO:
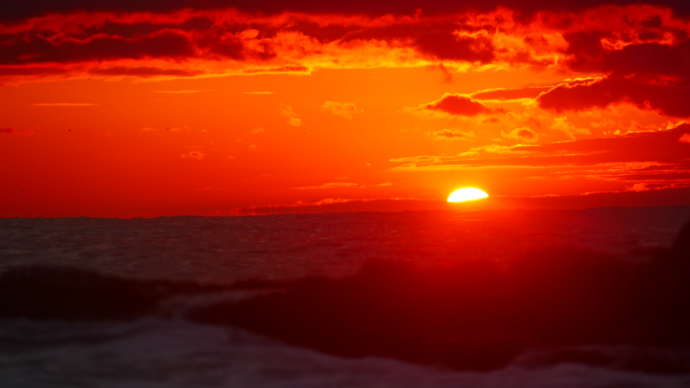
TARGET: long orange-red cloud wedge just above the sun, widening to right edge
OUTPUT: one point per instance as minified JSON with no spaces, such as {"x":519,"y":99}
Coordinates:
{"x":655,"y":159}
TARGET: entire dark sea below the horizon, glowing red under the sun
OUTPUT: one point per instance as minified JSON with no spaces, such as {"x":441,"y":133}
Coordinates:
{"x":578,"y":298}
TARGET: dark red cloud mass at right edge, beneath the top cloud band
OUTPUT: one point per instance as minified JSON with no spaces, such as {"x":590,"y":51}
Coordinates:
{"x":651,"y":75}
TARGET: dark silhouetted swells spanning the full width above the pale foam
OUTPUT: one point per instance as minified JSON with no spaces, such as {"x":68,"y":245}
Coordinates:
{"x":468,"y":315}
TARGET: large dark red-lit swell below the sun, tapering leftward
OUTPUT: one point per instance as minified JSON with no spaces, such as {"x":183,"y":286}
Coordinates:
{"x":481,"y":315}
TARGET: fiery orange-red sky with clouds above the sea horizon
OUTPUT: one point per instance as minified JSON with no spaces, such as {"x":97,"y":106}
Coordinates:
{"x":128,"y":108}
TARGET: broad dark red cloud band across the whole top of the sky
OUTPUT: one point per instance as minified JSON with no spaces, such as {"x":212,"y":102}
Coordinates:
{"x":219,"y":37}
